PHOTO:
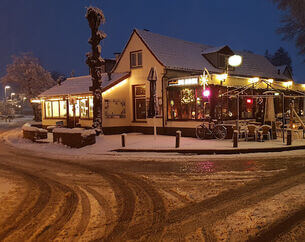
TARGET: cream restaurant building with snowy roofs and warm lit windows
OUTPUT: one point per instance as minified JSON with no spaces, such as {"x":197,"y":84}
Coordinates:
{"x":181,"y":100}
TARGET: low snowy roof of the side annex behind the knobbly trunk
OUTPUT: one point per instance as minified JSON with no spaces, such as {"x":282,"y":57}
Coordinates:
{"x":80,"y":85}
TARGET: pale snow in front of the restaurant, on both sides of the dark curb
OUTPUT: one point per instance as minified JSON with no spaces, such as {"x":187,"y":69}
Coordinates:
{"x":106,"y":143}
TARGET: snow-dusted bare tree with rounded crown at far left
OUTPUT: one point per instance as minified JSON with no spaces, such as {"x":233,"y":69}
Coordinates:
{"x":28,"y":77}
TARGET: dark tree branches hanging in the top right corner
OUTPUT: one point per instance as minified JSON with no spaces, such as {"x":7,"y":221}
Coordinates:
{"x":293,"y":21}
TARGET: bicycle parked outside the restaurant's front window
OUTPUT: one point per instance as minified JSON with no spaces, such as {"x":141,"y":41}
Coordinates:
{"x":218,"y":131}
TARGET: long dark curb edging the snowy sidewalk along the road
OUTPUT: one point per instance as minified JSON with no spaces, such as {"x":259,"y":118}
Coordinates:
{"x":215,"y":151}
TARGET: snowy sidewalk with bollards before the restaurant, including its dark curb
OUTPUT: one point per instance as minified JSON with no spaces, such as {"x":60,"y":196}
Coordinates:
{"x":135,"y":142}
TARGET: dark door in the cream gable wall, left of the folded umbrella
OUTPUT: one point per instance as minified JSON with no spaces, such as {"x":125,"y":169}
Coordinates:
{"x":139,"y":102}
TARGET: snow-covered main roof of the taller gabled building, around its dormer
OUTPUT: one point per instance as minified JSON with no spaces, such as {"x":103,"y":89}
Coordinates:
{"x":183,"y":55}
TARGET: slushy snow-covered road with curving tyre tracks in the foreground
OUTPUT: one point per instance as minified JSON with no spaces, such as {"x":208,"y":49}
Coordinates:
{"x":159,"y":198}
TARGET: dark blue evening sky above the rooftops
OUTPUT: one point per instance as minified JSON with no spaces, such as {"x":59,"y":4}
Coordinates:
{"x":56,"y":31}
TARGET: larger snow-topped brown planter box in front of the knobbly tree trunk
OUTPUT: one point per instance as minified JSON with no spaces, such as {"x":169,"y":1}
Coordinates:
{"x":74,"y":138}
